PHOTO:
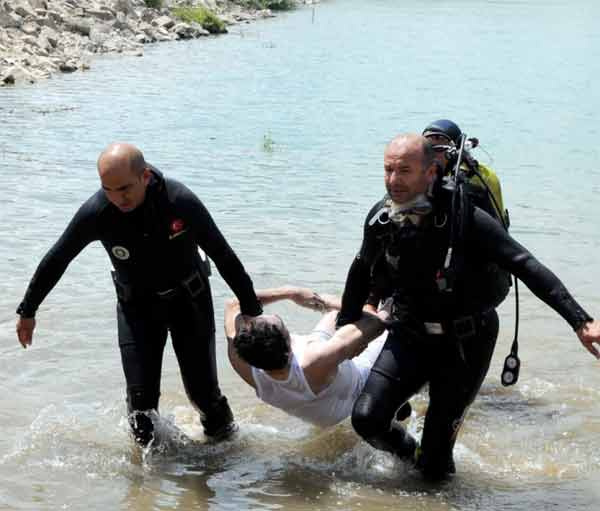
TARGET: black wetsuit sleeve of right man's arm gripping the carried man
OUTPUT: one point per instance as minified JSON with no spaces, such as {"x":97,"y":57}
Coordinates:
{"x":358,"y":281}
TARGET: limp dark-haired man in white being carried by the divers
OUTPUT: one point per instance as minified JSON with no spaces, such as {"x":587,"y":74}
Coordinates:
{"x":315,"y":377}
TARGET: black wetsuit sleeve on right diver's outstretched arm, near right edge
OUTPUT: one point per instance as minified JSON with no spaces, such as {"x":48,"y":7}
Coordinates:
{"x":502,"y":249}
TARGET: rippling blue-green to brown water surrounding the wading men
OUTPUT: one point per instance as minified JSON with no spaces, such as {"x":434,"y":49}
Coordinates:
{"x":279,"y":127}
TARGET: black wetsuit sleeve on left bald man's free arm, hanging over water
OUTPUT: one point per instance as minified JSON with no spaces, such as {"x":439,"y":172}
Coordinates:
{"x":80,"y":232}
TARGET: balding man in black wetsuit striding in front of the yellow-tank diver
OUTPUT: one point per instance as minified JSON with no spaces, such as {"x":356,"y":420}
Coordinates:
{"x":442,"y":338}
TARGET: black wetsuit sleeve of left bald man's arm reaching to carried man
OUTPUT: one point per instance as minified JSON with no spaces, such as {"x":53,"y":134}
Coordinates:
{"x":210,"y":239}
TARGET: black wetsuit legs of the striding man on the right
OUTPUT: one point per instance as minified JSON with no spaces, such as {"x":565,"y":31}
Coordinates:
{"x":454,"y":371}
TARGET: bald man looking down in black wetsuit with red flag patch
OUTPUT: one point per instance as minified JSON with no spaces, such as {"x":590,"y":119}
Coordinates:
{"x":151,"y":228}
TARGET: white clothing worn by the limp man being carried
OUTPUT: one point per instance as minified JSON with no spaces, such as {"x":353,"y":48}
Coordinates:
{"x":333,"y":403}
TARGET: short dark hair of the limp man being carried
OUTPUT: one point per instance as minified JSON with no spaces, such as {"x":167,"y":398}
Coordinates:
{"x":263,"y":345}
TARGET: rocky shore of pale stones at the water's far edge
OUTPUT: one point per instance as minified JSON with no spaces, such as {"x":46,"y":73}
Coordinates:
{"x":39,"y":38}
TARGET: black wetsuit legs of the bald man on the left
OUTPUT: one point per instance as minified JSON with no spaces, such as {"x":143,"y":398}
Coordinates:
{"x":143,"y":325}
